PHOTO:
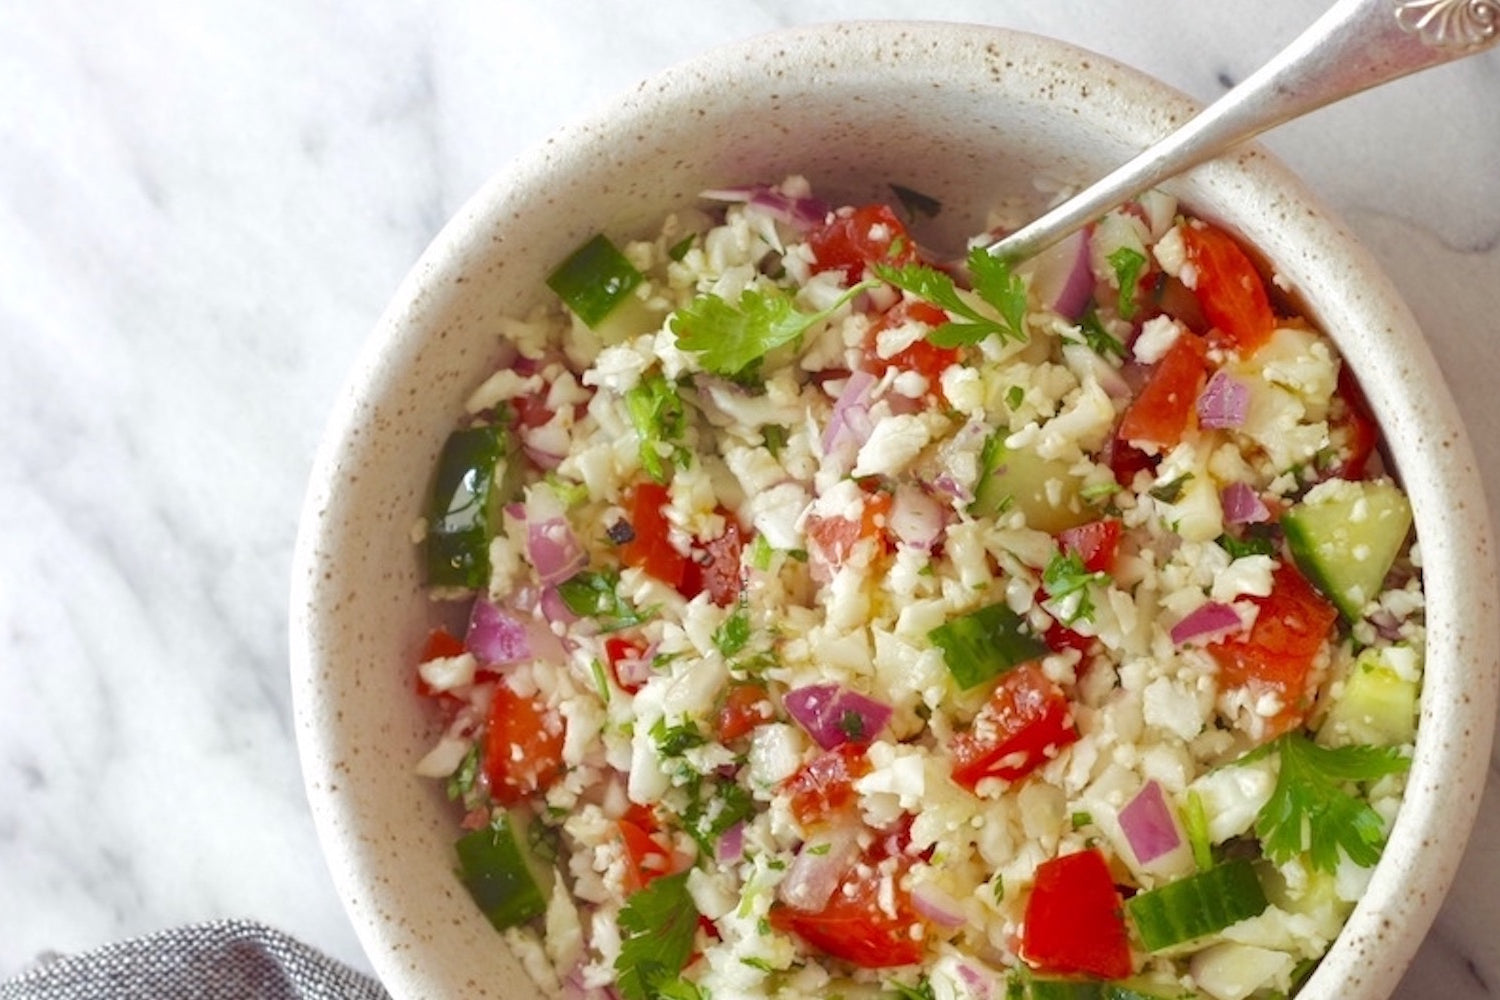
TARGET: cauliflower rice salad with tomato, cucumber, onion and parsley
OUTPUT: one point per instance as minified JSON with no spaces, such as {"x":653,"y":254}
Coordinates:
{"x":832,"y":623}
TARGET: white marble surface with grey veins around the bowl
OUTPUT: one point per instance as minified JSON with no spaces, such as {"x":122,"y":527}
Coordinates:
{"x":203,"y":209}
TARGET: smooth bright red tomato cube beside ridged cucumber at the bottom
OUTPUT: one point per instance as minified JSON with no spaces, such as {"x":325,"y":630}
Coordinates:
{"x":1075,"y":921}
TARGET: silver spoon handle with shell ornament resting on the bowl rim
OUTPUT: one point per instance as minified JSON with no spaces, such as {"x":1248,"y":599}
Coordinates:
{"x":1357,"y":46}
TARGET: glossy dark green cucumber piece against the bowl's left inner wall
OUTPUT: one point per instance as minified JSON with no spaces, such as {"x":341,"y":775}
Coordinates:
{"x":478,"y":475}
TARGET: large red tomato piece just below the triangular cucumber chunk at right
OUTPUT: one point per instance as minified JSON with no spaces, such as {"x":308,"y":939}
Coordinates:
{"x":1279,"y":651}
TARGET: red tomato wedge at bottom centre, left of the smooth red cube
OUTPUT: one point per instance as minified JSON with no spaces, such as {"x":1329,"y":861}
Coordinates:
{"x":856,"y":927}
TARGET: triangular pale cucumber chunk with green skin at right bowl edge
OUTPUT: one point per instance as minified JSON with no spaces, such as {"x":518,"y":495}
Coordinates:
{"x":1346,"y":536}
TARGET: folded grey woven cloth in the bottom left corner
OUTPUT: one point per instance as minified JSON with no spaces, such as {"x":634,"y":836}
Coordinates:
{"x":238,"y":960}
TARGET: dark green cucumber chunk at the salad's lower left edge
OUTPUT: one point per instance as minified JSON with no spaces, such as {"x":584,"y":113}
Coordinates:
{"x":502,"y":872}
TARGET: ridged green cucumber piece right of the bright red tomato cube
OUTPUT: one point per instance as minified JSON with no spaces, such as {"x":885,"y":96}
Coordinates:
{"x":1198,"y":906}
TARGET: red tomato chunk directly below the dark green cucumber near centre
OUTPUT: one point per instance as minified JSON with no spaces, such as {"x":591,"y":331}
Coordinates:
{"x":1022,"y":725}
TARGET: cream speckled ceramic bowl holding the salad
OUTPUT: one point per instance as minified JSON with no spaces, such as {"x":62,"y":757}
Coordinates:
{"x":970,"y":116}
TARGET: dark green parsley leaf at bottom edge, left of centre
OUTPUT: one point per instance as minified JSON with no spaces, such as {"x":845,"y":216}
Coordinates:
{"x":658,"y":926}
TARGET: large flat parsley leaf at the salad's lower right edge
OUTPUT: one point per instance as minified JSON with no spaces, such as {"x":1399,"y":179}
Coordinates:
{"x":1312,"y":809}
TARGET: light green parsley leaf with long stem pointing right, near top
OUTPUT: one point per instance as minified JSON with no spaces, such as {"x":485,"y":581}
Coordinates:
{"x":730,"y":340}
